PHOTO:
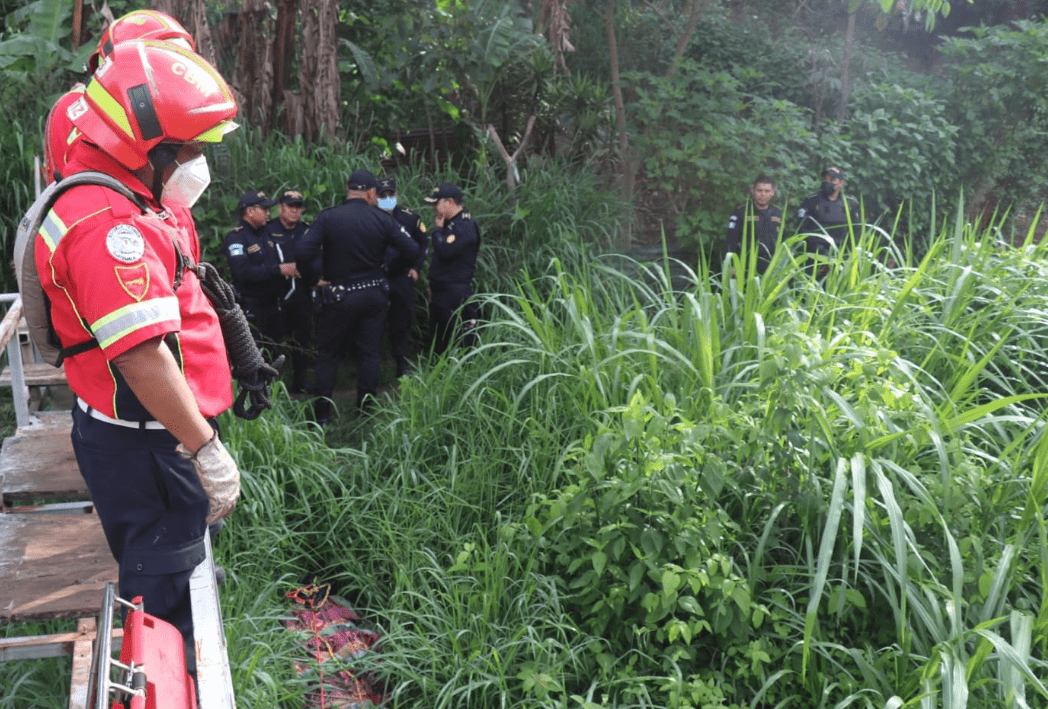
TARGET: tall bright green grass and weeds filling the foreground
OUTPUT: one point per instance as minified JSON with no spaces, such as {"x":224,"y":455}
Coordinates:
{"x":761,"y":492}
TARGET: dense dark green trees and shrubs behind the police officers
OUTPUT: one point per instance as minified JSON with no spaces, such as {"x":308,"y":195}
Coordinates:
{"x":757,"y":91}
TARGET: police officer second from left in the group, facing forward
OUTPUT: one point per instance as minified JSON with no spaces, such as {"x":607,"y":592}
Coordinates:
{"x":285,"y":232}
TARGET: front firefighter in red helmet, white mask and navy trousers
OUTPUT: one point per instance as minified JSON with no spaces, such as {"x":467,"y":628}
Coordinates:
{"x":145,"y":353}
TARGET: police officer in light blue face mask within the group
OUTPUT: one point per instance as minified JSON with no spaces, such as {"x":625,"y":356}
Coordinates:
{"x":403,"y":280}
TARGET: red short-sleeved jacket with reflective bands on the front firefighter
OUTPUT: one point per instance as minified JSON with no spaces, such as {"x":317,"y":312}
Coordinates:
{"x":110,"y":273}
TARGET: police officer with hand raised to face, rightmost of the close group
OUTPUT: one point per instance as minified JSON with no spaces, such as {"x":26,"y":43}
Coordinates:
{"x":455,"y":243}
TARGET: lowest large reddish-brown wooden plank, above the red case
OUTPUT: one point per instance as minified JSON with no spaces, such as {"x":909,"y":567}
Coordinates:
{"x":53,"y":566}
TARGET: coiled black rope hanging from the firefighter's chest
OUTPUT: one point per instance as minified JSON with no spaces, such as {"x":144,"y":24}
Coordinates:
{"x":251,"y":371}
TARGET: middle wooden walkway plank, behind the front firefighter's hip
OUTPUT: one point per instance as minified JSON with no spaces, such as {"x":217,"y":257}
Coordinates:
{"x":38,"y":464}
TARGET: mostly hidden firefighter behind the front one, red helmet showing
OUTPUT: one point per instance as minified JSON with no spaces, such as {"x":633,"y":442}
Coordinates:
{"x":141,"y":25}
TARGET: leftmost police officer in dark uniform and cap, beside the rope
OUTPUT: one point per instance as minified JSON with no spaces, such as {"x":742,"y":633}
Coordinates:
{"x":258,"y":274}
